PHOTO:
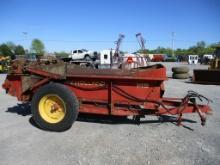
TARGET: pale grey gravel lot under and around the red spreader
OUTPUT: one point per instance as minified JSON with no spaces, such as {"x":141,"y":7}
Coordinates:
{"x":93,"y":141}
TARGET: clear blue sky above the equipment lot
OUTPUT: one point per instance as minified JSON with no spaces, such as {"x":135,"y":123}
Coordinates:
{"x":96,"y":24}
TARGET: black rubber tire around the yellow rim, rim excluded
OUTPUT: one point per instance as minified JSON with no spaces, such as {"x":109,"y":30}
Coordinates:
{"x":71,"y":103}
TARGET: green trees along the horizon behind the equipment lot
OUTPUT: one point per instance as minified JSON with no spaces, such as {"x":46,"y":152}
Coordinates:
{"x":37,"y":47}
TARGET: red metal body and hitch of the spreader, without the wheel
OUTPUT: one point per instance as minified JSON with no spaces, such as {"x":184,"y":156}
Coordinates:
{"x":133,"y":92}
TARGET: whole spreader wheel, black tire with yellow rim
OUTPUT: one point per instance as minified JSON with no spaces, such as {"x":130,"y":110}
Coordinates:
{"x":54,"y":107}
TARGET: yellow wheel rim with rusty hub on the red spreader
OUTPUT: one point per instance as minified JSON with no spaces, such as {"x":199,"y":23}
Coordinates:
{"x":52,"y":108}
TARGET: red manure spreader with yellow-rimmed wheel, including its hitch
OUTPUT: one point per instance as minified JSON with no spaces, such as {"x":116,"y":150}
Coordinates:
{"x":59,"y":91}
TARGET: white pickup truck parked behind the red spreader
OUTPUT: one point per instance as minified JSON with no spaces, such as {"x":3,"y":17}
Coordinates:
{"x":83,"y":54}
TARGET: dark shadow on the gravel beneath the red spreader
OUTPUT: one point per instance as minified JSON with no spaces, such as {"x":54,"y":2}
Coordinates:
{"x":24,"y":110}
